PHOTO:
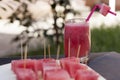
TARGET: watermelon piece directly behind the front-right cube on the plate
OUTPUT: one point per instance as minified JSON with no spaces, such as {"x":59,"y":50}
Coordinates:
{"x":72,"y":68}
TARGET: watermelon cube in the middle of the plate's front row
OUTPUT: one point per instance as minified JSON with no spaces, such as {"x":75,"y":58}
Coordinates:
{"x":57,"y":74}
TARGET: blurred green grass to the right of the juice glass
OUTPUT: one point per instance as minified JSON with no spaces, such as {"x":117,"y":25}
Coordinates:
{"x":105,"y":39}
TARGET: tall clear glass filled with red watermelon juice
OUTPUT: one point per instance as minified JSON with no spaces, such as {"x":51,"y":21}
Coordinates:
{"x":77,"y":39}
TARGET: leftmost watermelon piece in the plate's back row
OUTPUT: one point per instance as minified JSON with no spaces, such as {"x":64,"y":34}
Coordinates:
{"x":28,"y":63}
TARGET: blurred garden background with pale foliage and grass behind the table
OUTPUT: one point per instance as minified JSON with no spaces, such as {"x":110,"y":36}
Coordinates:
{"x":32,"y":24}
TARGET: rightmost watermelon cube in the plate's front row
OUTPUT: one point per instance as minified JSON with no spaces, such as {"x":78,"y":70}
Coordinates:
{"x":86,"y":75}
